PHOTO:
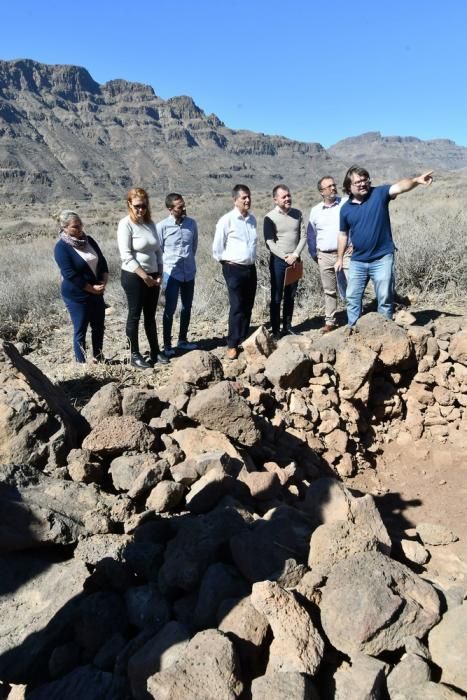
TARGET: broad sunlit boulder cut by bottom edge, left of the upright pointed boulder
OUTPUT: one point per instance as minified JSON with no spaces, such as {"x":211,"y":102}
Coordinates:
{"x":208,"y":669}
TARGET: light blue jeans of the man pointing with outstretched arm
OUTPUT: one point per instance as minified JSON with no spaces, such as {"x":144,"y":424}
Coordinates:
{"x":380,"y":272}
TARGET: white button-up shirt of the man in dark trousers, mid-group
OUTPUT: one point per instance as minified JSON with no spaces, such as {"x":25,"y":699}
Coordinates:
{"x":235,"y":238}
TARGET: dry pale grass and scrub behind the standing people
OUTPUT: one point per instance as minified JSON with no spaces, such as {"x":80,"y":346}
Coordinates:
{"x":429,"y":228}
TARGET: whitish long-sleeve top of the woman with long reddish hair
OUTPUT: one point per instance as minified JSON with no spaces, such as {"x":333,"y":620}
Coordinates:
{"x":139,"y":246}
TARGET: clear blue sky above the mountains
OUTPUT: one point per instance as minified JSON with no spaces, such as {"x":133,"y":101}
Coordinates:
{"x":313,"y":71}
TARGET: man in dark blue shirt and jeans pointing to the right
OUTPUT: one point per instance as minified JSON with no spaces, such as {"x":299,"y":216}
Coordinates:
{"x":365,"y":218}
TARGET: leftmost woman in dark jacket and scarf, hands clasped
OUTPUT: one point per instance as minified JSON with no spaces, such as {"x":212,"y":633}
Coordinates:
{"x":84,"y":277}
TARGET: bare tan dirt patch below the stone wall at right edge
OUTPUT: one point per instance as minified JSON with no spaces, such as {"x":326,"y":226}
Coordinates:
{"x":419,"y":482}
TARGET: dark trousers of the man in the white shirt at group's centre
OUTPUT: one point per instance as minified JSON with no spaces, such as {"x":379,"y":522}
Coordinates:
{"x":241,"y":286}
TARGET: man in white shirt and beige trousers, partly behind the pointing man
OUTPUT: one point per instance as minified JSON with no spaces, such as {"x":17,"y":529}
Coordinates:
{"x":322,"y":235}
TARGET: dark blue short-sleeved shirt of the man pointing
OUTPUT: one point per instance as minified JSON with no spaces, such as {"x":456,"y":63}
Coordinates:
{"x":369,"y":225}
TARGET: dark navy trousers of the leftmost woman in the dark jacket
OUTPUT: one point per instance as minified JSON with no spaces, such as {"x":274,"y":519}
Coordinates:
{"x":90,"y":312}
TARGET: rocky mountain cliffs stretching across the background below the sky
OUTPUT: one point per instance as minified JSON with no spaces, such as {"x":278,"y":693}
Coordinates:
{"x":62,"y":135}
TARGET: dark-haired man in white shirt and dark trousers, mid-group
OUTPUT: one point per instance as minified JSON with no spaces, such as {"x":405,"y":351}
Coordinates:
{"x":234,"y":246}
